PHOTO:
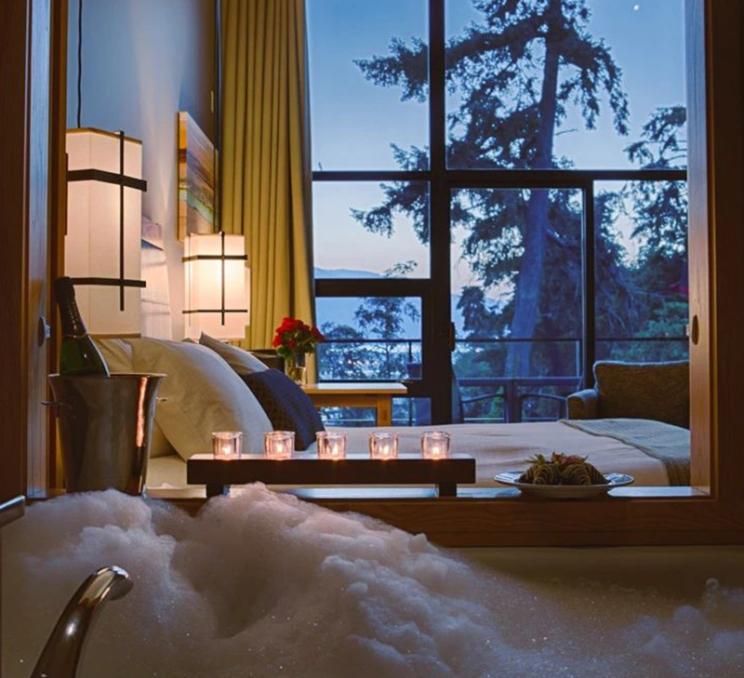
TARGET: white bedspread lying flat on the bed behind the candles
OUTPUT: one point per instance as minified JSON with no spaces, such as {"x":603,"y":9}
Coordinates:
{"x":496,"y":448}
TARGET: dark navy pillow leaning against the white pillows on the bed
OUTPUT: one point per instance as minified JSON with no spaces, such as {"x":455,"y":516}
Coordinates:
{"x":289,"y":408}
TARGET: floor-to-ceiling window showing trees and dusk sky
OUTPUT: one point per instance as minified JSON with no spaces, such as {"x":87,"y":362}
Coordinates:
{"x":499,"y":187}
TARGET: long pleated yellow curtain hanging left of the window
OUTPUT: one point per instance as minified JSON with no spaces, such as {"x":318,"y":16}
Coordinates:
{"x":265,"y":156}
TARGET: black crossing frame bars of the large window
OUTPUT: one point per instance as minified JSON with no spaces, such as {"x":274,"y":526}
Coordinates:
{"x":437,"y":339}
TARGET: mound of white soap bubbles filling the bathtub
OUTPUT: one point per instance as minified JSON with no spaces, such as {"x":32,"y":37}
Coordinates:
{"x":261,"y":584}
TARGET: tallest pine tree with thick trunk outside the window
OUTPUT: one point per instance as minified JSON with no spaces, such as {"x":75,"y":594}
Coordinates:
{"x":515,"y":74}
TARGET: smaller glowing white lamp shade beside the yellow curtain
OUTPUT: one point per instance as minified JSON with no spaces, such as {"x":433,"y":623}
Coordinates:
{"x":217,"y":286}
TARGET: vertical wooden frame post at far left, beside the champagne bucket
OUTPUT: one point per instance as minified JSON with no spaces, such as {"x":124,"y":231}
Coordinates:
{"x":33,"y":122}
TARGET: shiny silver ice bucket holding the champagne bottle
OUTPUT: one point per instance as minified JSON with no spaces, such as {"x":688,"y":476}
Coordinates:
{"x":105,"y":426}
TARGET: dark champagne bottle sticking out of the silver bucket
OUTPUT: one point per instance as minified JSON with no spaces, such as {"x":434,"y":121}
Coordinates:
{"x":78,"y":355}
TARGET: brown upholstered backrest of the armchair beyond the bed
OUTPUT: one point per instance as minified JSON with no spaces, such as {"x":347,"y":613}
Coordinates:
{"x":658,"y":391}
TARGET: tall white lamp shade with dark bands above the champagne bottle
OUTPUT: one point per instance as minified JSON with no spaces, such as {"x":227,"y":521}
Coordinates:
{"x":92,"y":243}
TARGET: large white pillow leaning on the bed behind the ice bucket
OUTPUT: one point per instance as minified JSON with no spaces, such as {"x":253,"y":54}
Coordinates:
{"x":201,"y":394}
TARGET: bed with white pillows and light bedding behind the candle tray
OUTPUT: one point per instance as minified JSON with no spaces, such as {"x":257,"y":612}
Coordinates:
{"x":205,"y":391}
